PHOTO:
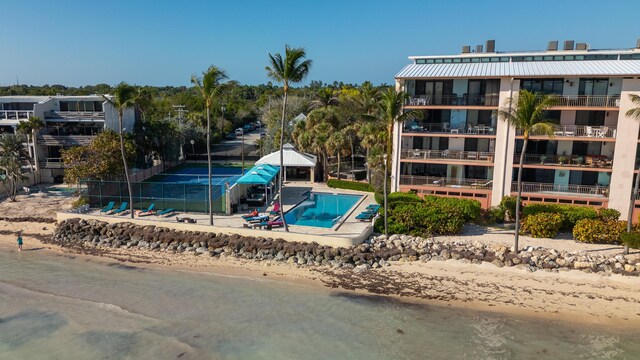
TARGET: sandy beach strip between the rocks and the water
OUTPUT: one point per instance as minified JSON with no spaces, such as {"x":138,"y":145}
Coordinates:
{"x":591,"y":299}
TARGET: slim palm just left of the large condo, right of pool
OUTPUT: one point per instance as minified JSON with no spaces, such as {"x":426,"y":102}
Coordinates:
{"x":390,"y":108}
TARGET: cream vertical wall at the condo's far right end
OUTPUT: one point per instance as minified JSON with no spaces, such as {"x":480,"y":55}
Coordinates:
{"x":625,"y":151}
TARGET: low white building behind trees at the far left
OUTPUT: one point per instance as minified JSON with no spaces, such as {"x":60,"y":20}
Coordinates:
{"x":69,"y":121}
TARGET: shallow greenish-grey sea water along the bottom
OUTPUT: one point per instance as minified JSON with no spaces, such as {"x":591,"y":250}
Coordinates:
{"x":65,"y":307}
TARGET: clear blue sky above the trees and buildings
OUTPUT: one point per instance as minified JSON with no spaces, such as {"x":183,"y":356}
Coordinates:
{"x":163,"y":42}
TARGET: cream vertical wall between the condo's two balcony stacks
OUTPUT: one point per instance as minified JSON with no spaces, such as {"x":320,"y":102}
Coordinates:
{"x":504,"y":145}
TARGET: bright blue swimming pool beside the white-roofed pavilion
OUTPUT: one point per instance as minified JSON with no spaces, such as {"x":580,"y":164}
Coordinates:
{"x":321,"y":209}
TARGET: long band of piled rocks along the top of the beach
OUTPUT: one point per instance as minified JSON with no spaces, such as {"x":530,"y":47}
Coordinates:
{"x":377,"y":252}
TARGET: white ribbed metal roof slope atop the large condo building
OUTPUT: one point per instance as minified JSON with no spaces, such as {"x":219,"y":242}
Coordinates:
{"x":523,"y":69}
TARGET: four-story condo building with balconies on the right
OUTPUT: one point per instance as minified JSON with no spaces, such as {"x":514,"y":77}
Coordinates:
{"x":457,"y":146}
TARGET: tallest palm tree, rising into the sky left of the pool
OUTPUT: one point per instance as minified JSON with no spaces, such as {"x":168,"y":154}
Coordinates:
{"x":292,"y":69}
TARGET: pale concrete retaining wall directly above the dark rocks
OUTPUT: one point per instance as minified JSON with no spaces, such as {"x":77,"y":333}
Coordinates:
{"x":333,"y":241}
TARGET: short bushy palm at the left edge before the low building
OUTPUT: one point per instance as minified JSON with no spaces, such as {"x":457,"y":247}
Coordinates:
{"x":12,"y":155}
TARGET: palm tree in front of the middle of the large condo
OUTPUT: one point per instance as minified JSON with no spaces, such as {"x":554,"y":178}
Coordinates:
{"x":528,"y":117}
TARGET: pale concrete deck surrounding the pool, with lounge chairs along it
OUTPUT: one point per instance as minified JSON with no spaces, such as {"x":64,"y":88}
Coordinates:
{"x":347,"y":232}
